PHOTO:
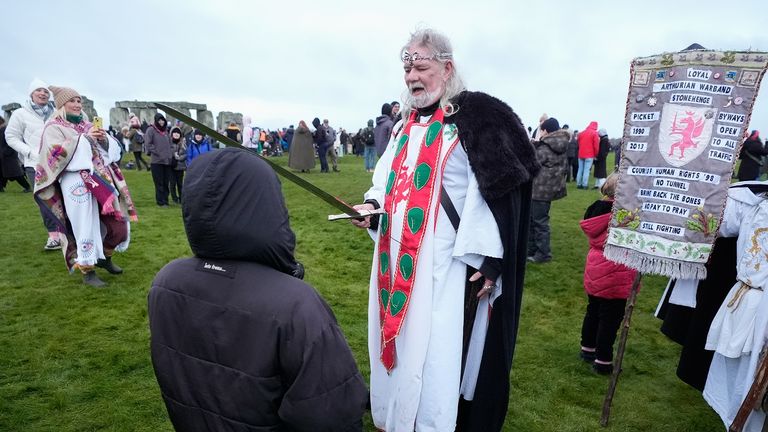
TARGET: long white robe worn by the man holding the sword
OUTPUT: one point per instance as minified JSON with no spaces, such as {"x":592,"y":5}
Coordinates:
{"x":421,"y":392}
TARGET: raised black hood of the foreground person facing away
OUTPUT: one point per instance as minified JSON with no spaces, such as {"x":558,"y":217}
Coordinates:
{"x":233,"y":209}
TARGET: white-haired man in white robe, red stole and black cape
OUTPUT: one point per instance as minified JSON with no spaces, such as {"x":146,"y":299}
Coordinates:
{"x":455,"y":184}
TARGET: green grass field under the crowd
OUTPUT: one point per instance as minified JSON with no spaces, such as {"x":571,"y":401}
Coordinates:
{"x":74,"y":358}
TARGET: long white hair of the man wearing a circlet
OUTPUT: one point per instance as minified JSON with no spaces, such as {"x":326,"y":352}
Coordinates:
{"x":440,"y":49}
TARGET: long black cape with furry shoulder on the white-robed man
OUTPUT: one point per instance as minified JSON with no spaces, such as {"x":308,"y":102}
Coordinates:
{"x":504,"y":163}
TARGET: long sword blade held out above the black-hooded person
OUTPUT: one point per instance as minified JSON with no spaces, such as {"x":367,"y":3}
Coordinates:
{"x":288,"y":175}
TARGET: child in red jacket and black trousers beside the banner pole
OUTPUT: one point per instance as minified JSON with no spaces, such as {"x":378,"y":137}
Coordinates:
{"x":607,"y":285}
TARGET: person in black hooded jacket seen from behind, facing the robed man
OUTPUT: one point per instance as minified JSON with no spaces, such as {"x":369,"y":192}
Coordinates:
{"x":238,"y":341}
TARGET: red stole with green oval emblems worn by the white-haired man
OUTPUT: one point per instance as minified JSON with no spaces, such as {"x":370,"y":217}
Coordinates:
{"x":417,"y":187}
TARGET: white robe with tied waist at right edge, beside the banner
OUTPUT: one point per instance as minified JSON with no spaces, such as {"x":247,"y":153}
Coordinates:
{"x":738,"y":333}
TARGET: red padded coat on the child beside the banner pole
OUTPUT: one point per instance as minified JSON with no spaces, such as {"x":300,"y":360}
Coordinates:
{"x":603,"y":278}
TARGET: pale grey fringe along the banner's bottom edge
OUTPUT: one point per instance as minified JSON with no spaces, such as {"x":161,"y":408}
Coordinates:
{"x":649,"y":264}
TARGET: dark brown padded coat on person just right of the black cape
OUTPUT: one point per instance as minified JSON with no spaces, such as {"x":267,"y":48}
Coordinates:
{"x":549,"y":184}
